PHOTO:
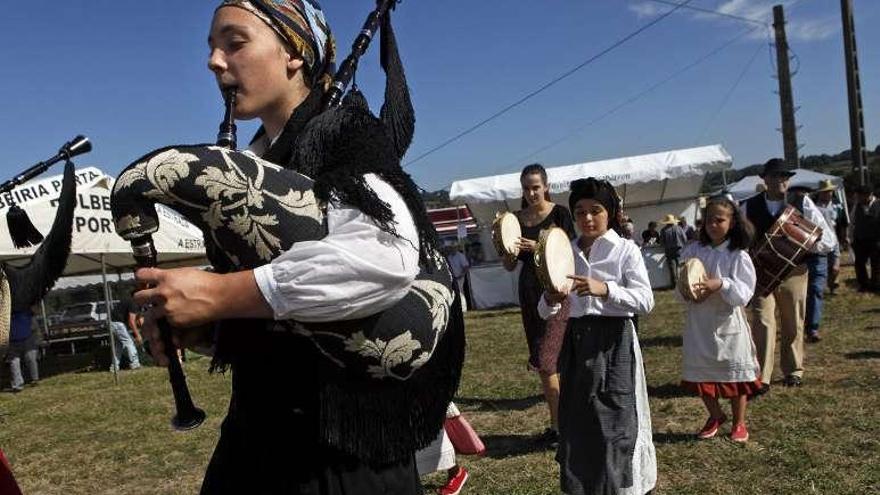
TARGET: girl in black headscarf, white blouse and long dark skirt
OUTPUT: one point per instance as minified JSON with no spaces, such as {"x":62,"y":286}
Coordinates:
{"x":605,"y":441}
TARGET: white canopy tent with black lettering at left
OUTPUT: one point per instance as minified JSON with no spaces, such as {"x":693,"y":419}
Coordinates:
{"x":94,"y":235}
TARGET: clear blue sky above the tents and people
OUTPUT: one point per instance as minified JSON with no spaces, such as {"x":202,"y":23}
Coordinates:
{"x":132,"y":76}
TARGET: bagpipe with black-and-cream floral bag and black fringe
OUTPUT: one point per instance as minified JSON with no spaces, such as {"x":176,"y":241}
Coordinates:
{"x":251,"y":211}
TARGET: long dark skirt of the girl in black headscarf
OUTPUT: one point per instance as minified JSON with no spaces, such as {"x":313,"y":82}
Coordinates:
{"x":598,"y":423}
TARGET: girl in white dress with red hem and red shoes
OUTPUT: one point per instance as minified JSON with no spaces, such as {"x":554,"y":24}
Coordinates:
{"x":719,"y":355}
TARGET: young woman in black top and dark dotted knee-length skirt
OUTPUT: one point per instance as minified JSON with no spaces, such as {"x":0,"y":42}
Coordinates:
{"x":539,"y":213}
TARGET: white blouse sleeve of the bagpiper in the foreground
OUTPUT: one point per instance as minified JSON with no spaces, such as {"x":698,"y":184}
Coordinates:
{"x":355,"y":271}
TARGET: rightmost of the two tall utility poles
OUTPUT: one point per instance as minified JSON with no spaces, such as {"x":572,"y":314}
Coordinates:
{"x":854,"y":91}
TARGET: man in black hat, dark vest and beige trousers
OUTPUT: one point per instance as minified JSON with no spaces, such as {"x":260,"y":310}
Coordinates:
{"x":791,"y":295}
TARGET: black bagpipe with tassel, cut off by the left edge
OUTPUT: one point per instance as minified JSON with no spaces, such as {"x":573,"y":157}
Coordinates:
{"x":23,"y":286}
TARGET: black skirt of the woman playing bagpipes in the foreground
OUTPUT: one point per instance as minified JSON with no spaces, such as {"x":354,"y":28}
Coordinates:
{"x":269,"y":443}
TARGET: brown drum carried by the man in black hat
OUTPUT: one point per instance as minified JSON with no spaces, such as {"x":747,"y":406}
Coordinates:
{"x":785,"y":245}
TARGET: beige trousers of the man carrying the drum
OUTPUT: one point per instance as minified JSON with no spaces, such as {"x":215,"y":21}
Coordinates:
{"x":791,"y":300}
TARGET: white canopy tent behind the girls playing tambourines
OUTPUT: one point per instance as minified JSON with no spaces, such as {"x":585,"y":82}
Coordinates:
{"x":651,"y":186}
